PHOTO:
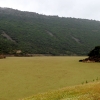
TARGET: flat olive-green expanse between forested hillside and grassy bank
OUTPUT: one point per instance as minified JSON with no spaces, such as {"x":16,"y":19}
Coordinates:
{"x":21,"y":77}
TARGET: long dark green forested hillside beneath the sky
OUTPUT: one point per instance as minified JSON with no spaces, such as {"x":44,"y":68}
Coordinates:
{"x":34,"y":33}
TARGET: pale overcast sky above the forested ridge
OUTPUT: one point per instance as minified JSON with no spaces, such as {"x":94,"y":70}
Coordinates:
{"x":88,"y":9}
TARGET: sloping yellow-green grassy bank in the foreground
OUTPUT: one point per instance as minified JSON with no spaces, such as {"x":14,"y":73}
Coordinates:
{"x":90,"y":91}
